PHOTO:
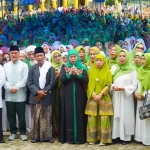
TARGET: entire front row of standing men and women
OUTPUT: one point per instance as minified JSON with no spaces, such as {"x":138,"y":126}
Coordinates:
{"x":103,"y":113}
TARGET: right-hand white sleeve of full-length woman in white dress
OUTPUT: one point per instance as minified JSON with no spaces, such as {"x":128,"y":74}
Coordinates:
{"x":131,"y":88}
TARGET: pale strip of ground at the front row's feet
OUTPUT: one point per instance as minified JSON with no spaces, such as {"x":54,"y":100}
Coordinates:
{"x":20,"y":145}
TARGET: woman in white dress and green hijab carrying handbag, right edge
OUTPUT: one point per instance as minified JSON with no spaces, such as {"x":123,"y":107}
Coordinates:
{"x":142,"y":130}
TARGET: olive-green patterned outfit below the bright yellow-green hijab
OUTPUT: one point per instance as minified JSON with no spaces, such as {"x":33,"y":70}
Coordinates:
{"x":99,"y":125}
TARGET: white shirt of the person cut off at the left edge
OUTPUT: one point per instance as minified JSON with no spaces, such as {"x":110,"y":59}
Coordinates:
{"x":2,"y":81}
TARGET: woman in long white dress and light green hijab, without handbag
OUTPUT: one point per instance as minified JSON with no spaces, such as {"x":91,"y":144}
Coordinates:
{"x":124,"y":84}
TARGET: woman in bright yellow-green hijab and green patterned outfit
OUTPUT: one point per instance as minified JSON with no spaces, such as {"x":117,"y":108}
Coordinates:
{"x":99,"y":105}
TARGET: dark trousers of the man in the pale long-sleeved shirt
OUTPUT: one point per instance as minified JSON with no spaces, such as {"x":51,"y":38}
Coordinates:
{"x":18,"y":108}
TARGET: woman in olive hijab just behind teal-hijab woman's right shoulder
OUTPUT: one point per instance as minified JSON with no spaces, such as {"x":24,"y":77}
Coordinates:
{"x":82,"y":54}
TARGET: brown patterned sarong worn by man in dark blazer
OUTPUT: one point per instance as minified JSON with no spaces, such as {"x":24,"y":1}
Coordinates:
{"x":41,"y":122}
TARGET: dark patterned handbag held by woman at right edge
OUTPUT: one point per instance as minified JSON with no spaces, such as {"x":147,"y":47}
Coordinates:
{"x":144,"y":111}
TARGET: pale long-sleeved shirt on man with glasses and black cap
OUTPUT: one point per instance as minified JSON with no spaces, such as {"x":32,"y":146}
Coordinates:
{"x":16,"y":76}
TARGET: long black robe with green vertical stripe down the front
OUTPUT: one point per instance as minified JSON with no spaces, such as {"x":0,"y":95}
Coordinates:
{"x":73,"y":121}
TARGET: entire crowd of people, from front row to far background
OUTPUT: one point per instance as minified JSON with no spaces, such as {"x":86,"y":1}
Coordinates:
{"x":76,"y":75}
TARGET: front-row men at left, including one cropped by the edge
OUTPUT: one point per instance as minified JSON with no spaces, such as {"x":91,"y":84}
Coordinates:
{"x":41,"y":80}
